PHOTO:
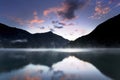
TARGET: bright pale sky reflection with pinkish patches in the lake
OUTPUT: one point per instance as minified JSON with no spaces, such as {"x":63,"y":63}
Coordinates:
{"x":70,"y":68}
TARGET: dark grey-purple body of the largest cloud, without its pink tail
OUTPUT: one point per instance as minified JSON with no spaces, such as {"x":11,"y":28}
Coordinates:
{"x":69,"y":8}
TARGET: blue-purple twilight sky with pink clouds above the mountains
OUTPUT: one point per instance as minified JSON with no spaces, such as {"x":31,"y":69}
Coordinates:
{"x":68,"y":18}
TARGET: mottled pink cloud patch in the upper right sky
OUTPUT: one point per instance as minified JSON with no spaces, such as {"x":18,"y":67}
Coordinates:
{"x":100,"y":10}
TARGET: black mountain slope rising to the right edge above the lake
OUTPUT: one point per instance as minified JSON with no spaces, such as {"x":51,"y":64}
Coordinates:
{"x":106,"y":34}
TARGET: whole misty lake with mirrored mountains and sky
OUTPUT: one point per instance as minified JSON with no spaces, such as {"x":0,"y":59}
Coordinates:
{"x":60,"y":64}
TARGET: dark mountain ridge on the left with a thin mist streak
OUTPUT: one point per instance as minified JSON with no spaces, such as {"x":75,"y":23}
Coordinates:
{"x":17,"y":38}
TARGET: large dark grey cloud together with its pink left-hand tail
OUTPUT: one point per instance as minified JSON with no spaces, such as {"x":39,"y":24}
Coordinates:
{"x":67,"y":9}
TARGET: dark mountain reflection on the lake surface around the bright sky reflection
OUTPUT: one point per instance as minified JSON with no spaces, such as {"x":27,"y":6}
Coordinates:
{"x":106,"y":60}
